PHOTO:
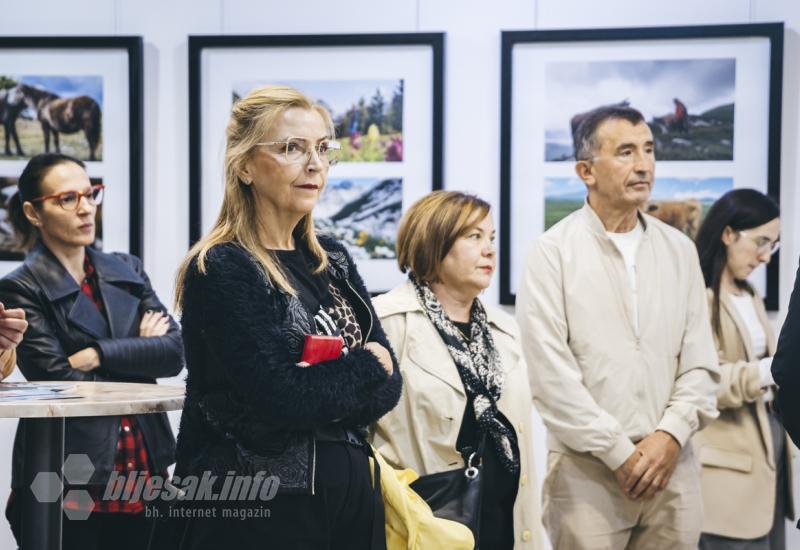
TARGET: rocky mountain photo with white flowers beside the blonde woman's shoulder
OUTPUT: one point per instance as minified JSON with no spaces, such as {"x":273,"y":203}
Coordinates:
{"x":362,"y":213}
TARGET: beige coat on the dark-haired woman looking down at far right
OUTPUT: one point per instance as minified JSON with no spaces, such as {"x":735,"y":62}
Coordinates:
{"x":735,"y":450}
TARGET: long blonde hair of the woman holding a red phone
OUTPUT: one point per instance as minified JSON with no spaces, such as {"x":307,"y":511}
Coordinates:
{"x":251,"y":119}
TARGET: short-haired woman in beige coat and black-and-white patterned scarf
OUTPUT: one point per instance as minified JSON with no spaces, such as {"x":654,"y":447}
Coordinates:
{"x":462,"y":366}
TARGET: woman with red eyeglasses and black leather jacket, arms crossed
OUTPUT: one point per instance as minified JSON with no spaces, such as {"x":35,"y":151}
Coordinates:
{"x":92,"y":316}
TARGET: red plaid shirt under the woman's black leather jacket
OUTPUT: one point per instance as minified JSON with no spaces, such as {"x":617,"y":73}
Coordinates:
{"x":131,"y":453}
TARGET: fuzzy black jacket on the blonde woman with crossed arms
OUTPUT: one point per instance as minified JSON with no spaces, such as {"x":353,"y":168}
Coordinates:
{"x":248,"y":407}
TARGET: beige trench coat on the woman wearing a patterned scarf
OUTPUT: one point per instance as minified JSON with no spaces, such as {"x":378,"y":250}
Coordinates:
{"x":421,"y":432}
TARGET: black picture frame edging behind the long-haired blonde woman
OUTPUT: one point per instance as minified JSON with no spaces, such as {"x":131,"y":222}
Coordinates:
{"x":202,"y":43}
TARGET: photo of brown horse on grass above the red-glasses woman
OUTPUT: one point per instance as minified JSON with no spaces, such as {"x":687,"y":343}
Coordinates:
{"x":66,"y":109}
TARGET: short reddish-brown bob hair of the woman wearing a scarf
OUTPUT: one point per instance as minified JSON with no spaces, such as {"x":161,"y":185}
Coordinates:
{"x":431,"y":226}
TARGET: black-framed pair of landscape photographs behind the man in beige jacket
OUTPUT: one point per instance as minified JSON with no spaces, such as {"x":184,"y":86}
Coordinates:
{"x":711,"y":95}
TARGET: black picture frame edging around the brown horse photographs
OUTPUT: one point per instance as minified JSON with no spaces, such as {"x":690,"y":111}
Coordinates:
{"x":134,"y":50}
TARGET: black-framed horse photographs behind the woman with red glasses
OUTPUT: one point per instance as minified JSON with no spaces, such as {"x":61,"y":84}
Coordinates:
{"x":80,"y":96}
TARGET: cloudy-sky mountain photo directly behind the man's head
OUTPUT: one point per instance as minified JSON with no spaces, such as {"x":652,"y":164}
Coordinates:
{"x":706,"y":87}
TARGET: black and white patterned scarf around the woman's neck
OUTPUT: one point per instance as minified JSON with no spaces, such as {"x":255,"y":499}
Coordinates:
{"x":478,"y":364}
